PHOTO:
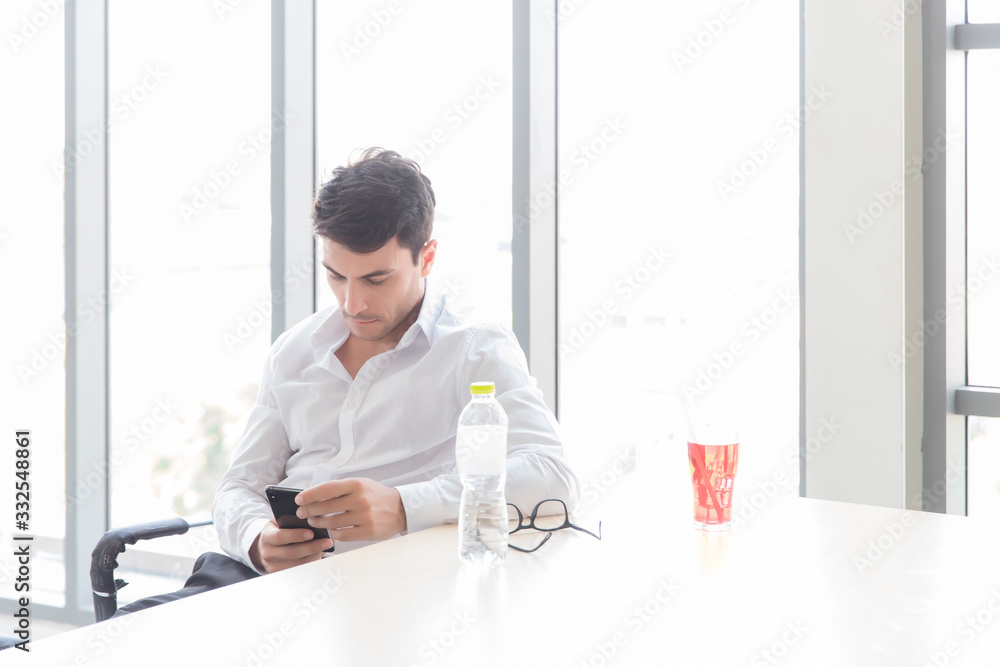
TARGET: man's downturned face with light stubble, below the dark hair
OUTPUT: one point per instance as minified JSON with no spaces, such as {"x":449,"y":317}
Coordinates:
{"x":377,"y":291}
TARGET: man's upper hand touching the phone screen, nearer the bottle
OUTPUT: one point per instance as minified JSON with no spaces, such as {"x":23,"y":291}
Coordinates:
{"x":353,"y":509}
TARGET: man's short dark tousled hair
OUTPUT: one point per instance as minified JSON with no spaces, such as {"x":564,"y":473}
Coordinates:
{"x":381,"y":196}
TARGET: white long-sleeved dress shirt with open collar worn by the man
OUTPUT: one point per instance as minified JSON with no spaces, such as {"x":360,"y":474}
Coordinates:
{"x":395,"y":422}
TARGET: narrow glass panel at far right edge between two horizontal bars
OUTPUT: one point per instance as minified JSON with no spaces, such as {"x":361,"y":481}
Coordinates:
{"x":983,"y":197}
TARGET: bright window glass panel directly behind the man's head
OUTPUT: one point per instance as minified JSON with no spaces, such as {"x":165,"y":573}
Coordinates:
{"x":431,"y":81}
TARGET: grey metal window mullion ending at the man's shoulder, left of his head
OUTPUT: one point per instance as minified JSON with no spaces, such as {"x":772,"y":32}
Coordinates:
{"x":293,"y":162}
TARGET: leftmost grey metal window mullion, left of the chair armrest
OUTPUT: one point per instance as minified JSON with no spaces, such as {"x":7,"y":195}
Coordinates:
{"x":86,"y":216}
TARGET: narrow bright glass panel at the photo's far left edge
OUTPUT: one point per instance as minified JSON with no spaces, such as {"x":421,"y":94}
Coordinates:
{"x":32,"y":278}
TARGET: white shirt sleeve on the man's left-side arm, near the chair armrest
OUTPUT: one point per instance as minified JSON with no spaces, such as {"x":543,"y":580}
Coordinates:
{"x":240,"y":510}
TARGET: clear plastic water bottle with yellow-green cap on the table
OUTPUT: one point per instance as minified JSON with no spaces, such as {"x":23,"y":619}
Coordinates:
{"x":481,"y":452}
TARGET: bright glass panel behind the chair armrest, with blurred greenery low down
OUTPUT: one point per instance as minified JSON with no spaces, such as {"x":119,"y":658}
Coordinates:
{"x":189,"y":259}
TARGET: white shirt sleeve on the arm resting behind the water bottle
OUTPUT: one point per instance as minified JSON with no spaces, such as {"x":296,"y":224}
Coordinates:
{"x":536,"y":469}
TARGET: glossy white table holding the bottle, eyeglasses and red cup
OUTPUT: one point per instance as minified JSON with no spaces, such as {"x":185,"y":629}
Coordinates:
{"x":787,"y":587}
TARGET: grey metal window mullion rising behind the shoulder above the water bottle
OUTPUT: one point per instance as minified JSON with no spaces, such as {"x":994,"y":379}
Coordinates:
{"x":534,"y":247}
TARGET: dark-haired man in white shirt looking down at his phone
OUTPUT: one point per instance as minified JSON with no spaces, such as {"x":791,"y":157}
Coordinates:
{"x":359,"y":404}
